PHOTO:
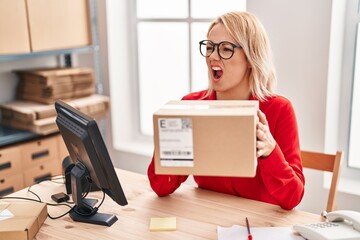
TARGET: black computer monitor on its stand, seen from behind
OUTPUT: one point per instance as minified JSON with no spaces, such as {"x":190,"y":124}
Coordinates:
{"x":91,"y":161}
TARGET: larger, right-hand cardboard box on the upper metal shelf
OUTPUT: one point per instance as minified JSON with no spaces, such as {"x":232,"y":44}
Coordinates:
{"x":58,"y":24}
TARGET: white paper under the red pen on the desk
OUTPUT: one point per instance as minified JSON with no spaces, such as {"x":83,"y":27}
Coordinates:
{"x":237,"y":232}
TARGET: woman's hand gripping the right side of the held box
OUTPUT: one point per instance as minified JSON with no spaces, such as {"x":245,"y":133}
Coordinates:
{"x":265,"y":143}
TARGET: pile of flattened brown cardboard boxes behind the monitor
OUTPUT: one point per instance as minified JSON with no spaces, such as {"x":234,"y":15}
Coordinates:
{"x":37,"y":91}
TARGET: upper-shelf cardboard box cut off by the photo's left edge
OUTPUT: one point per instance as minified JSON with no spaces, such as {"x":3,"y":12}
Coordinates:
{"x":13,"y":27}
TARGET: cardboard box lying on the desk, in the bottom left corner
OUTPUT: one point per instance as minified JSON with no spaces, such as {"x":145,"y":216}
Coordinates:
{"x":26,"y":221}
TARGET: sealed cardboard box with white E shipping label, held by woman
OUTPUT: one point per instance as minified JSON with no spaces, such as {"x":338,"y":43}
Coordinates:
{"x":211,"y":138}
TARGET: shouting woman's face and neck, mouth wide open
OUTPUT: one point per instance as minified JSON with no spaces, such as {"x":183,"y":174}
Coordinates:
{"x":229,"y":78}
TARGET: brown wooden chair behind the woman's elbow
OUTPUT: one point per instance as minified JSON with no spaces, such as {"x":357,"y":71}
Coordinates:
{"x":328,"y":163}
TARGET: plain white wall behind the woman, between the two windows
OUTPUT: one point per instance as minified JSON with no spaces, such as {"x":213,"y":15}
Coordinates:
{"x":299,"y":33}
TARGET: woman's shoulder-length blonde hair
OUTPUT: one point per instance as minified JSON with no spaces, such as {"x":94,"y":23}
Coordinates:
{"x":250,"y":34}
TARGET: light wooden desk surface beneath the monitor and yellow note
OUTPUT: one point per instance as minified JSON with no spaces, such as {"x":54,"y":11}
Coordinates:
{"x":198,"y":213}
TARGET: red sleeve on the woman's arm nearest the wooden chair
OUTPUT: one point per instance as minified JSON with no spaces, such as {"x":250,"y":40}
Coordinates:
{"x":282,"y":170}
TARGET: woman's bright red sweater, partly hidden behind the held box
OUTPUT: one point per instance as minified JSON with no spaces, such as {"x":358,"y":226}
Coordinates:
{"x":279,"y":178}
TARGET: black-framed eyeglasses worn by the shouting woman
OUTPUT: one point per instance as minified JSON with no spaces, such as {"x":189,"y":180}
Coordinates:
{"x":225,"y":48}
